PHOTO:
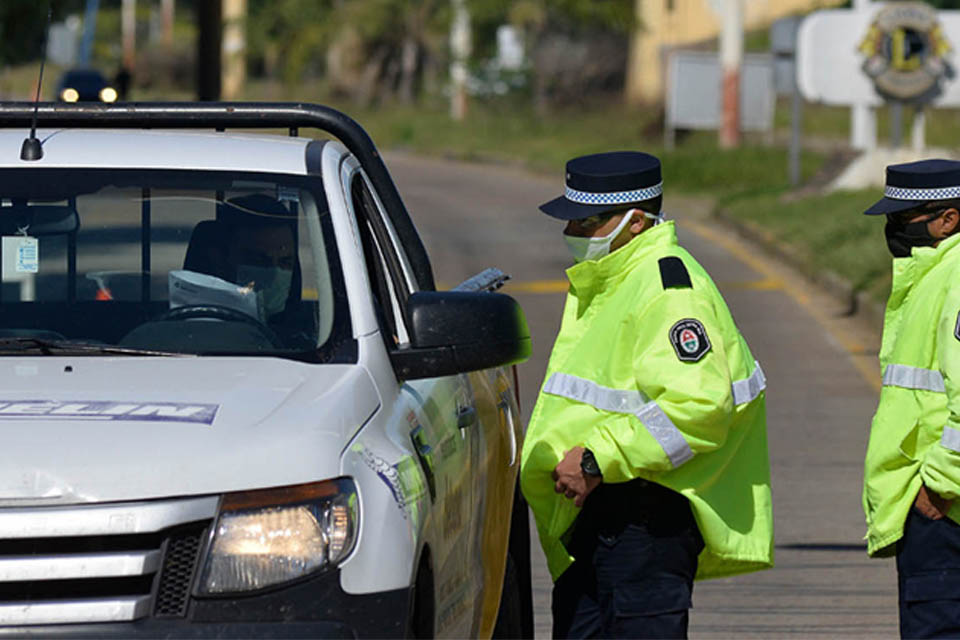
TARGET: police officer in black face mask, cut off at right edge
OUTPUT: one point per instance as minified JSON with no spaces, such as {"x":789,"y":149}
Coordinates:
{"x":912,"y":470}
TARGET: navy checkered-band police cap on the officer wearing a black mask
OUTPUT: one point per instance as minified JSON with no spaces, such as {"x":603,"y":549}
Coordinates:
{"x":913,"y":183}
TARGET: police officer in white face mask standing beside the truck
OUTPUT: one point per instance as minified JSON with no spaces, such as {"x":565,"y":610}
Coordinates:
{"x":645,"y":460}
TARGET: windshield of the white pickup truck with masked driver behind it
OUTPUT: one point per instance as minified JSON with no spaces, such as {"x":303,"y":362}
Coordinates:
{"x":163,"y":261}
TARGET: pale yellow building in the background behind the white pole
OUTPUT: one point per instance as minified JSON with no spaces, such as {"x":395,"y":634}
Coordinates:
{"x":669,"y":24}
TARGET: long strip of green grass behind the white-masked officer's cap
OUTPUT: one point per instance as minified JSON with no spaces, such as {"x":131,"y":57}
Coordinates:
{"x":544,"y":143}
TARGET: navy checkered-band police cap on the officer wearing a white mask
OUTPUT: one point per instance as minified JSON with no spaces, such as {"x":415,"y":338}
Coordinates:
{"x":606,"y":181}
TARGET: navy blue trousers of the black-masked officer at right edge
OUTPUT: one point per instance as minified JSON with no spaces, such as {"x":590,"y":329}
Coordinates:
{"x":928,"y":566}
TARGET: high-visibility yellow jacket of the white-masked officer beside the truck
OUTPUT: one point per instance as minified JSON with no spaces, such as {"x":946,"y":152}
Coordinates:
{"x":650,"y":373}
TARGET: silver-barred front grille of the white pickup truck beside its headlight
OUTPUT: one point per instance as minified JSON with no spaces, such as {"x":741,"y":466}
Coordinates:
{"x":104,"y":563}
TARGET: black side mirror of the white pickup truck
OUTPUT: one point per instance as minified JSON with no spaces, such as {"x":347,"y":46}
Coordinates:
{"x":456,"y":332}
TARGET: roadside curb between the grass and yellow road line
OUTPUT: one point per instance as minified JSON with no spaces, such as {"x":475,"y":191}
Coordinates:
{"x":857,"y":303}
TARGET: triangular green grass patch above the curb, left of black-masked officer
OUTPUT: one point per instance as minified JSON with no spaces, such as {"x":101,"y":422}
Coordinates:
{"x":827,"y":233}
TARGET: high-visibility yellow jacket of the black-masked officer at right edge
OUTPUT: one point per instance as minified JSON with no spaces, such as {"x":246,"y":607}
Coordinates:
{"x":915,"y":435}
